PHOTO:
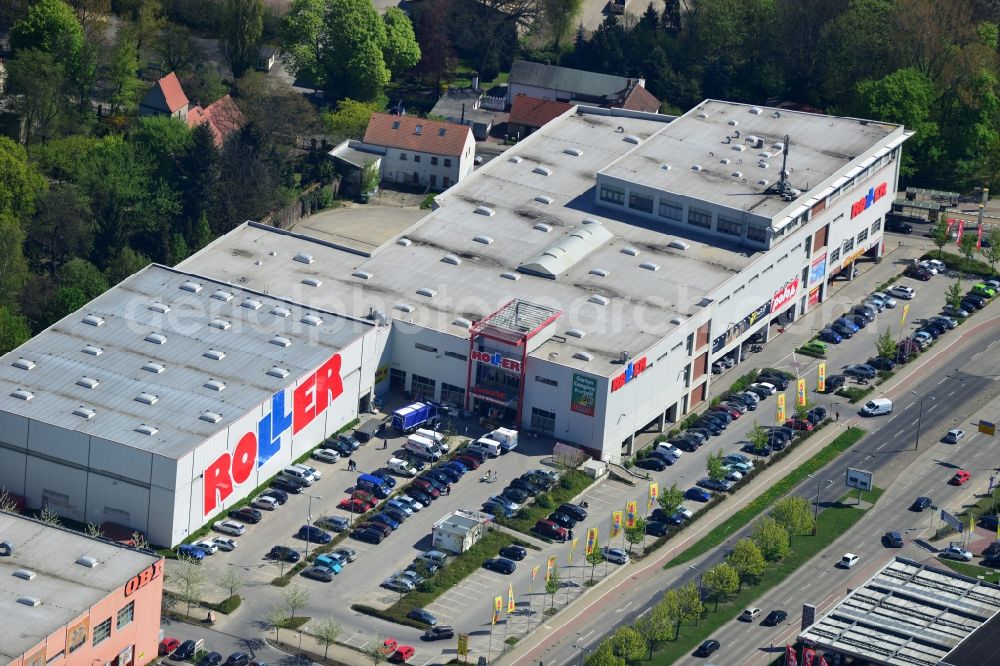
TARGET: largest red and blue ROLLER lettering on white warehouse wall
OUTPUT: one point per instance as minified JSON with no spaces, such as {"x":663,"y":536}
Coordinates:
{"x":309,"y":400}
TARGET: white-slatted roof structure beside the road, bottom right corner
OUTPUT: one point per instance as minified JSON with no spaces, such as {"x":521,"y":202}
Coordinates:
{"x":907,"y":614}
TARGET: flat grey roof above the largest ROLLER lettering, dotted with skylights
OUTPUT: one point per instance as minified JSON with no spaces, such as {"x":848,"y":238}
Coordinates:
{"x":163,"y":348}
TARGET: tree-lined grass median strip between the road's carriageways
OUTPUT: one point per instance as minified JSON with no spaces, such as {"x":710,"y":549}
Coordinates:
{"x":831,"y":523}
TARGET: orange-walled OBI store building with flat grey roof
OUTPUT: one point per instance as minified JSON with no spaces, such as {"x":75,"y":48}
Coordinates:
{"x":70,"y":599}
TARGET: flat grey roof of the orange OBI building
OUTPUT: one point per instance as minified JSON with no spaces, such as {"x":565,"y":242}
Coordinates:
{"x":64,"y":588}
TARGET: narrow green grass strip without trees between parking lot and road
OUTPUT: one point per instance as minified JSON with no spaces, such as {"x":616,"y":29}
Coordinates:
{"x":744,"y":516}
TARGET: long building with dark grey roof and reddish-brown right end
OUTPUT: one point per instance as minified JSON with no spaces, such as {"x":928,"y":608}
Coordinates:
{"x":563,"y":84}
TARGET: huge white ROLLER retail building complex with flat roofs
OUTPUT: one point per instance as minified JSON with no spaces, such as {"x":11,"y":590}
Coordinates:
{"x":580,"y":285}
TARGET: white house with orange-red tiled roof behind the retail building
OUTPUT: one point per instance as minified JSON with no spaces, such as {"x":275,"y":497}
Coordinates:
{"x":423,"y":152}
